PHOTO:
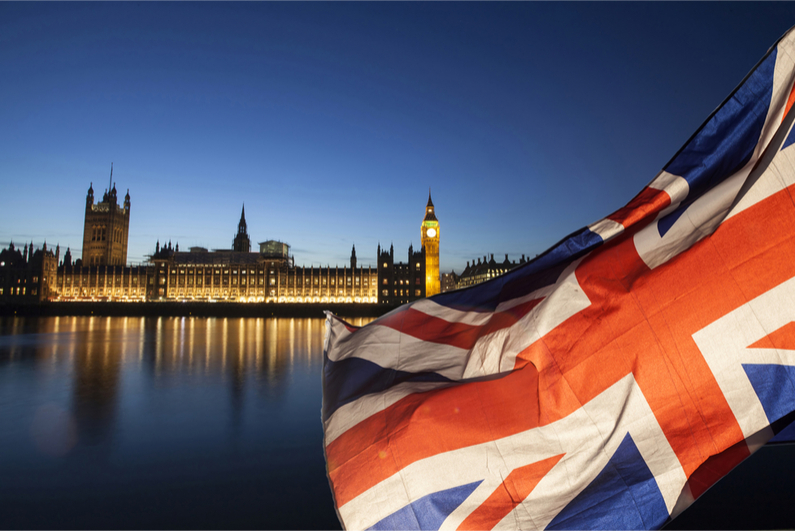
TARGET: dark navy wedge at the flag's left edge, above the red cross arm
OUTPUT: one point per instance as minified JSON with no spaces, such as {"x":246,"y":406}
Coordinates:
{"x":352,"y":378}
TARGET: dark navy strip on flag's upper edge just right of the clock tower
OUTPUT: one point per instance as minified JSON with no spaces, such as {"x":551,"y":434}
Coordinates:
{"x":541,"y":272}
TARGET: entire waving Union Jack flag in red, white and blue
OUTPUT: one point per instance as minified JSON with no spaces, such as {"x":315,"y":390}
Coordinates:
{"x":609,"y":382}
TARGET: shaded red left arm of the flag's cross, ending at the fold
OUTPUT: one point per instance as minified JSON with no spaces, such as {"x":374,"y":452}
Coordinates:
{"x":426,"y":424}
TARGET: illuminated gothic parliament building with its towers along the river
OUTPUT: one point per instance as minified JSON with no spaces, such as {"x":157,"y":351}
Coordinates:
{"x":197,"y":274}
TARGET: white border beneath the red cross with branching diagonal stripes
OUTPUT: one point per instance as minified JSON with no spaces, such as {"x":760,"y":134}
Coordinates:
{"x":588,"y":437}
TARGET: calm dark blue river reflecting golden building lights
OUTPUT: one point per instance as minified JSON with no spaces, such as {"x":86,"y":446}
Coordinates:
{"x":212,"y":423}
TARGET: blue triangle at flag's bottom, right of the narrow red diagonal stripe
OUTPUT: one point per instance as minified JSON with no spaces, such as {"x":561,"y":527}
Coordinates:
{"x":623,"y":496}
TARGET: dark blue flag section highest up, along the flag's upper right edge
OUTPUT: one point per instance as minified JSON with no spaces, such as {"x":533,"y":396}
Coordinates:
{"x":727,"y":141}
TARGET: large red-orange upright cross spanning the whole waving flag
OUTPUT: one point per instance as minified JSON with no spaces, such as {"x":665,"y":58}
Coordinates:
{"x":640,"y":321}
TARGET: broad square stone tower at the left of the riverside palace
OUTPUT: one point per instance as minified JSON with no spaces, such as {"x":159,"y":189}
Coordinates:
{"x":106,"y":228}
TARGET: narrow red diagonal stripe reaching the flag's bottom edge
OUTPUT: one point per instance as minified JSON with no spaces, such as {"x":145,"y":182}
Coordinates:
{"x":516,"y":487}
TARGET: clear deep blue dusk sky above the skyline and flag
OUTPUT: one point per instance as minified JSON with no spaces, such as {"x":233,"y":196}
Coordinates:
{"x":330,"y":121}
